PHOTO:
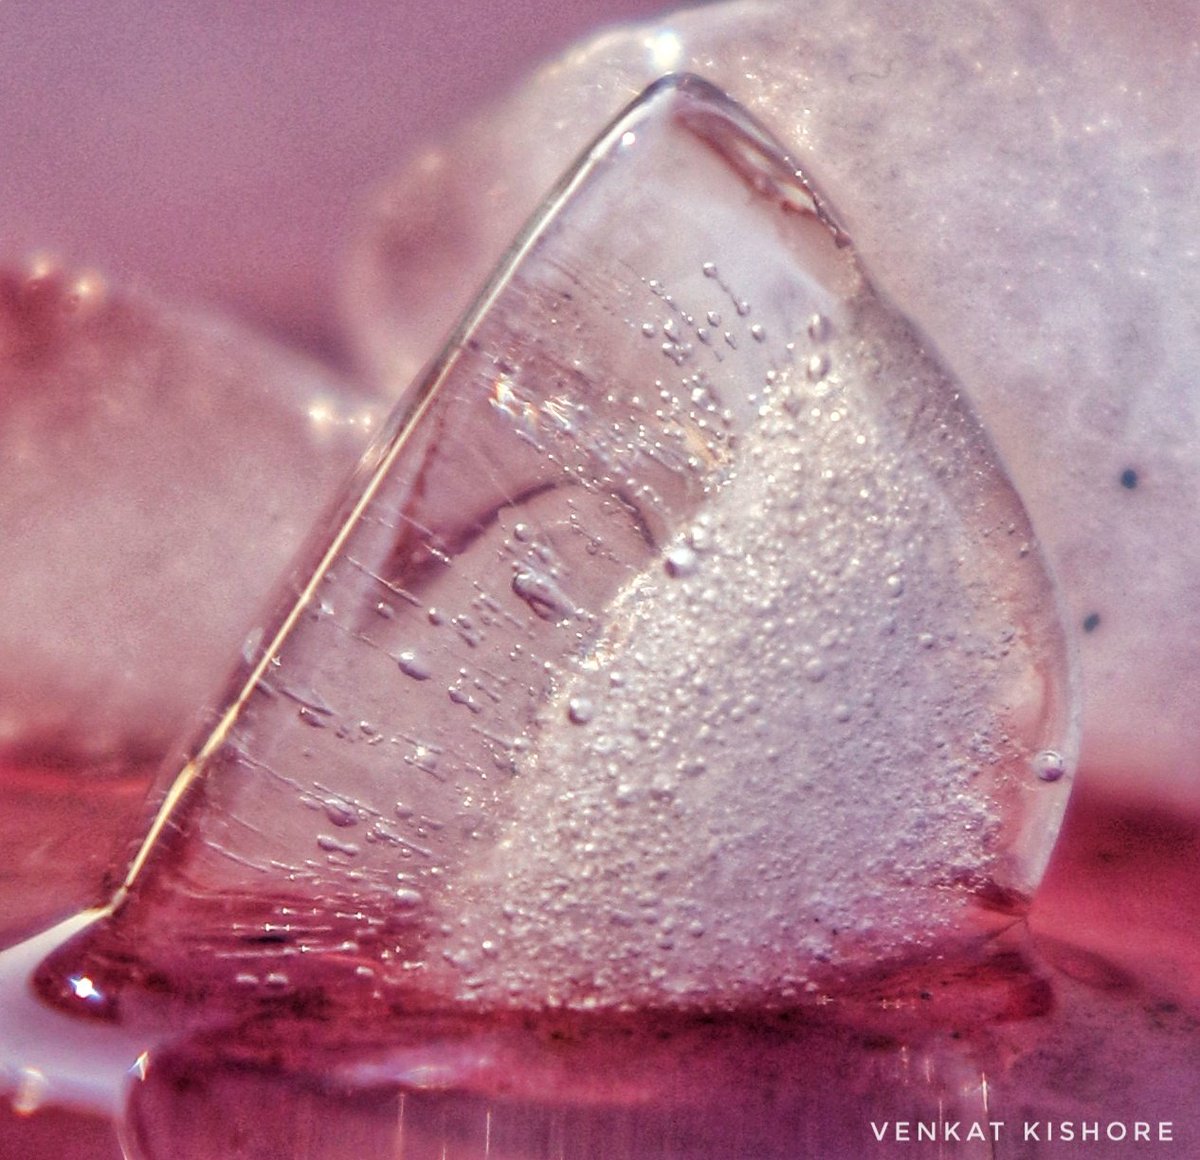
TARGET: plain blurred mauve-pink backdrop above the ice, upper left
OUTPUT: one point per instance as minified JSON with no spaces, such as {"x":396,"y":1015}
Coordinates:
{"x":214,"y":151}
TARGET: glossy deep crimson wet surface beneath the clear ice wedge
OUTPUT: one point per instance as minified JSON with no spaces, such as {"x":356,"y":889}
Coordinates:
{"x":1085,"y":1021}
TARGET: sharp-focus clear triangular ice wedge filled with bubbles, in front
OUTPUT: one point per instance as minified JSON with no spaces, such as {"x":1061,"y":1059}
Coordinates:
{"x":683,"y":645}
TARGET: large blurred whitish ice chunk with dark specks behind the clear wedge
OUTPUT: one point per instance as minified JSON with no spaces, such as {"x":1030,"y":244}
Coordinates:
{"x":1016,"y":177}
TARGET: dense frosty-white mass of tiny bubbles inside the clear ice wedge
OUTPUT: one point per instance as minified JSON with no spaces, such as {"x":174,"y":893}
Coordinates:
{"x":686,"y":804}
